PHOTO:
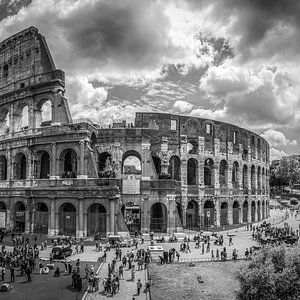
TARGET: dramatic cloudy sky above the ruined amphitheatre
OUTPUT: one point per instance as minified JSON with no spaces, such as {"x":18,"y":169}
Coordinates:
{"x":232,"y":60}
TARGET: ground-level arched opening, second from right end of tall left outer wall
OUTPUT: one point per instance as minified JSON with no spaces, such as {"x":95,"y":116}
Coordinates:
{"x":67,"y":219}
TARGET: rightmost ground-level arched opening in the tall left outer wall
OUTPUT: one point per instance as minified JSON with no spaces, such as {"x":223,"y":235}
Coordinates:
{"x":96,"y":220}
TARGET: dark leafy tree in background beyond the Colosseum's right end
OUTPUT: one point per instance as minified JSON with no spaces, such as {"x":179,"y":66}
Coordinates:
{"x":288,"y":170}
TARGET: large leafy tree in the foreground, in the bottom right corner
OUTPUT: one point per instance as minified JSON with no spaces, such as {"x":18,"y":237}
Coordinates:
{"x":273,"y":274}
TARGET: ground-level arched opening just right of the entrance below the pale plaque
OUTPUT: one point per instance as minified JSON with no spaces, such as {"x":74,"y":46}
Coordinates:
{"x":158,"y":218}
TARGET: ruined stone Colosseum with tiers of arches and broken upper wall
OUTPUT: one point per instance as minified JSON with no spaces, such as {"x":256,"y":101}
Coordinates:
{"x":162,"y":173}
